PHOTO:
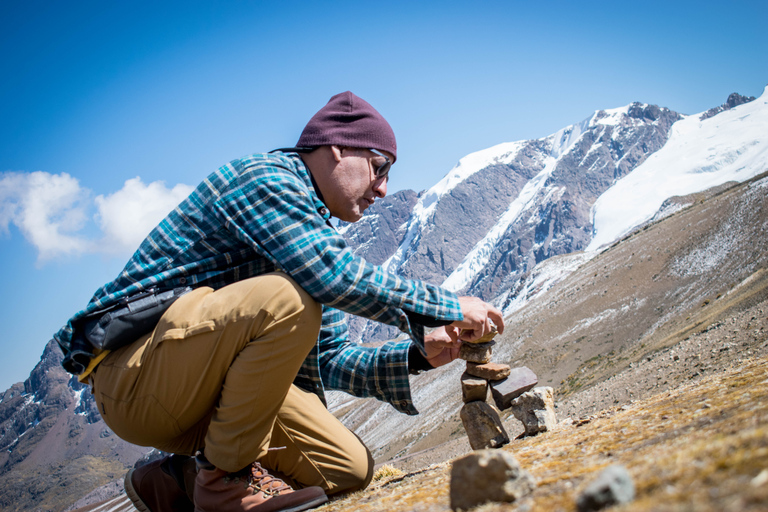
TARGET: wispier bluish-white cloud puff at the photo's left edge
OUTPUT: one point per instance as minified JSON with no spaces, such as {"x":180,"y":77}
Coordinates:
{"x":49,"y":209}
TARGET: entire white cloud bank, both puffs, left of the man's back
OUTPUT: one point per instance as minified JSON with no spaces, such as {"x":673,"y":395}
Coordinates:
{"x":52,"y":212}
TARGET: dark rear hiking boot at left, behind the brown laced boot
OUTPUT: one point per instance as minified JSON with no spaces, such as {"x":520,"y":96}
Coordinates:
{"x":159,"y":486}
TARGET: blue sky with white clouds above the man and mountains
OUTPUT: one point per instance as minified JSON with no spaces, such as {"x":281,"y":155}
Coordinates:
{"x":111,"y":111}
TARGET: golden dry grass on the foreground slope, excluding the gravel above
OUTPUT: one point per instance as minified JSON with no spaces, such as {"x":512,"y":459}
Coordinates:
{"x":699,"y":447}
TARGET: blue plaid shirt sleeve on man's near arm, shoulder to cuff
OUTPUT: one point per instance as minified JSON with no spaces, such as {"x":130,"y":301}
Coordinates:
{"x":270,"y":208}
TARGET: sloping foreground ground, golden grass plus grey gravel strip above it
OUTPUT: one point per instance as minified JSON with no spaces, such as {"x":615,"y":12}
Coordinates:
{"x":690,"y":423}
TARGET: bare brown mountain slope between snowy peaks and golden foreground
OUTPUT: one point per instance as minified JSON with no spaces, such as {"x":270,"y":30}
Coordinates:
{"x":693,"y":283}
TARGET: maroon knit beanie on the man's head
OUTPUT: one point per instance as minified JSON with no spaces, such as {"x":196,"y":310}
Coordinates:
{"x":349,"y":121}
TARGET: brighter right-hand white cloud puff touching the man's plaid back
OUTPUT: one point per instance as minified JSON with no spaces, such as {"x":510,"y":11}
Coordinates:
{"x":128,"y":215}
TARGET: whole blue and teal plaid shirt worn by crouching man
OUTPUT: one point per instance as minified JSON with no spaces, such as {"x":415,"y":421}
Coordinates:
{"x":260,"y":214}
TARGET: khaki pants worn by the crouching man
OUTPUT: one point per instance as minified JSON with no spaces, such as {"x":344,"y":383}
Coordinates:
{"x":217,"y":373}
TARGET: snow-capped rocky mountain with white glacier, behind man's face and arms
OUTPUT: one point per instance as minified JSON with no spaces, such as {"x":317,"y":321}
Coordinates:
{"x":499,"y":212}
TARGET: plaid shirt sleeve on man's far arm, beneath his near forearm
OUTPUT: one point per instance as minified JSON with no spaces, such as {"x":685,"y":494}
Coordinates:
{"x":378,"y":372}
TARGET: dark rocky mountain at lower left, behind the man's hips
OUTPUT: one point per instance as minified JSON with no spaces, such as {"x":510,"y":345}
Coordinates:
{"x":55,"y":447}
